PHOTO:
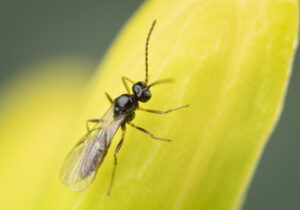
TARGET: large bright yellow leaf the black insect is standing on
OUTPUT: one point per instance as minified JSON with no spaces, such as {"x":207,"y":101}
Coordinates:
{"x":231,"y":62}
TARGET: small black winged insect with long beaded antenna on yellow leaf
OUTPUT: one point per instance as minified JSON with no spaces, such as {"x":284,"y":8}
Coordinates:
{"x":82,"y":163}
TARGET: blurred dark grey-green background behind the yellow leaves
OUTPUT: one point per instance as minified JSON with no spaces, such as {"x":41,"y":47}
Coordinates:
{"x":33,"y":31}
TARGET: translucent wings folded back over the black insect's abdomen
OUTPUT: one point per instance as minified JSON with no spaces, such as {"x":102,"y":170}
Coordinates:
{"x":81,"y":164}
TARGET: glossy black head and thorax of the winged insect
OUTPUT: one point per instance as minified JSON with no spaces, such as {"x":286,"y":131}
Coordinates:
{"x":126,"y":104}
